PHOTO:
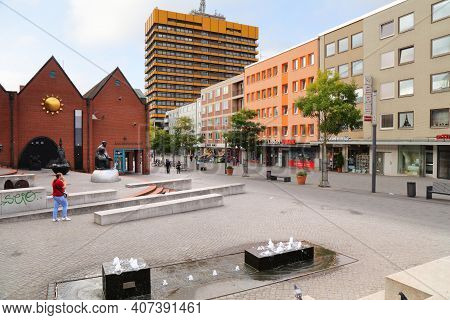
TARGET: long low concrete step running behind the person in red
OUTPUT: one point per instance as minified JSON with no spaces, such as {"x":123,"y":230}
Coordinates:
{"x":225,"y":190}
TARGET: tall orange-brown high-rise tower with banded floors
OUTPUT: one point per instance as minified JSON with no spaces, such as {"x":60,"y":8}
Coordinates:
{"x":188,"y":52}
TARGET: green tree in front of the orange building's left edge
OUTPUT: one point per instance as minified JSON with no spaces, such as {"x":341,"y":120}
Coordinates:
{"x":244,"y":134}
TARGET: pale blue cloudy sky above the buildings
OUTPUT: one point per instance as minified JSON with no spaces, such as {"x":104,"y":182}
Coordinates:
{"x":90,"y":38}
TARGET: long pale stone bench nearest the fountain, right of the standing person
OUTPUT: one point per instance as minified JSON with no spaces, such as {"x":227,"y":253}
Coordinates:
{"x":157,"y":209}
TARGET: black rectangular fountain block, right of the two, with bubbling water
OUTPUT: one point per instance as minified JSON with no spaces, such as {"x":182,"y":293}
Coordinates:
{"x":255,"y":259}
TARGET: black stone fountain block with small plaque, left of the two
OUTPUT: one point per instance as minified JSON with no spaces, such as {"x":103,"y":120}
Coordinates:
{"x":127,"y":283}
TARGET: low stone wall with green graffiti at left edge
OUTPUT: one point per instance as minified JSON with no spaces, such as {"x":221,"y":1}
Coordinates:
{"x":21,"y":200}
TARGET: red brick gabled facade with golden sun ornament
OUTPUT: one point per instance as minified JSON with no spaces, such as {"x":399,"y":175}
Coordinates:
{"x":115,"y":114}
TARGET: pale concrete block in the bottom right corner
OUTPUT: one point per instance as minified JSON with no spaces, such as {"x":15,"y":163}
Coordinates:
{"x":430,"y":280}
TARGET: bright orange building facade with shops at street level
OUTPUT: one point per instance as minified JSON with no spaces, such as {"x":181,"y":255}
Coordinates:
{"x":271,"y":88}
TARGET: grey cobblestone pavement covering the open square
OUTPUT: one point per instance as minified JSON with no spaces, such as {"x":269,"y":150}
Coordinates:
{"x":385,"y":233}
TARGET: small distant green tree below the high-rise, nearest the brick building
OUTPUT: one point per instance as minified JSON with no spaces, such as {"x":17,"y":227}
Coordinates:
{"x":184,"y":137}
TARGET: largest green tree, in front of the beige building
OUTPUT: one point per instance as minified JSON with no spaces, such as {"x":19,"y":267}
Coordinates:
{"x":333,"y":103}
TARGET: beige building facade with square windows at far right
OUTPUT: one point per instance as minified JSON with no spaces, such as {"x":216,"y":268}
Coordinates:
{"x":405,"y":52}
